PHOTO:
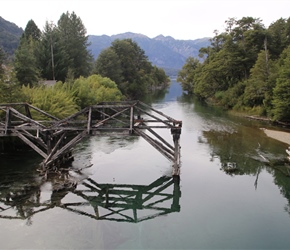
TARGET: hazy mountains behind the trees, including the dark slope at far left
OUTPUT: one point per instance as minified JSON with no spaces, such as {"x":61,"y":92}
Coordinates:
{"x":163,"y":51}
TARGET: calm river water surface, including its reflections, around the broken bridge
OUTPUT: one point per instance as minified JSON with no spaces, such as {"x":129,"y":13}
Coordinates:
{"x":233,"y":193}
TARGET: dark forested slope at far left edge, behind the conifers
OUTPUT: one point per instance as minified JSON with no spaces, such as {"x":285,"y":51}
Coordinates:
{"x":10,"y":34}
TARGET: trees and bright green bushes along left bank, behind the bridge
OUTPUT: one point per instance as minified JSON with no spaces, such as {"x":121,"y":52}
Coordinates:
{"x":59,"y":53}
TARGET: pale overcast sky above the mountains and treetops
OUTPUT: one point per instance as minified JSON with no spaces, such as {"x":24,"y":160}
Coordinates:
{"x":181,"y":19}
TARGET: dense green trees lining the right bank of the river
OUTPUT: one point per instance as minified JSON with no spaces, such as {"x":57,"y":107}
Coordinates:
{"x":246,"y":68}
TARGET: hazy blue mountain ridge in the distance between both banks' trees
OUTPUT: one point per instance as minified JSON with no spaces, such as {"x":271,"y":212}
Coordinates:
{"x":164,"y":52}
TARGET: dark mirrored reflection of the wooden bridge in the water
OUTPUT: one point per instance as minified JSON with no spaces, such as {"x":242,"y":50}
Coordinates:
{"x":114,"y":202}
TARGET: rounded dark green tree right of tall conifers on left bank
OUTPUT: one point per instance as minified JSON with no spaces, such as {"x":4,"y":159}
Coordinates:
{"x":126,"y":64}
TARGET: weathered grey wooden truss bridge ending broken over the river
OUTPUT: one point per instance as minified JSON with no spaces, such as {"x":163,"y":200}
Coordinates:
{"x":54,"y":138}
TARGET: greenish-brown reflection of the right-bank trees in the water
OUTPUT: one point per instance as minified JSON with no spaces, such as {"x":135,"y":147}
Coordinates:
{"x":240,"y":155}
